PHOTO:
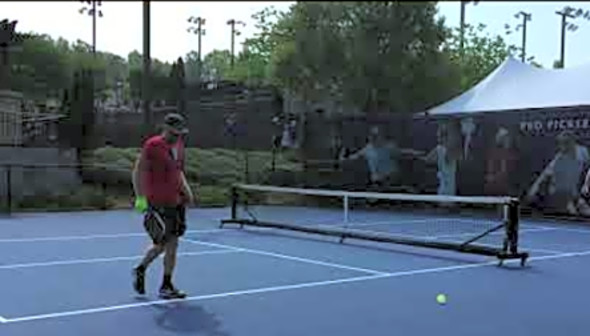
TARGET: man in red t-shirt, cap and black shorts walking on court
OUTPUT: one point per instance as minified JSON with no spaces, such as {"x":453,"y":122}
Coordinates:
{"x":158,"y":178}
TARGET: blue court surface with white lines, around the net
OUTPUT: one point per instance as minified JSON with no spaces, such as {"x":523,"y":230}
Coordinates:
{"x":69,"y":274}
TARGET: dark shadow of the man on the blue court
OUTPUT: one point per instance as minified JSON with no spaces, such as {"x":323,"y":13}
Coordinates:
{"x":187,"y":318}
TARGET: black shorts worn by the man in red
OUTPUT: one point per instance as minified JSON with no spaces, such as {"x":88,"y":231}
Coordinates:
{"x":162,"y":223}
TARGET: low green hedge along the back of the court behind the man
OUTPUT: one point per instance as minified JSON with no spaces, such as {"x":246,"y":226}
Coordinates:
{"x":210,"y":171}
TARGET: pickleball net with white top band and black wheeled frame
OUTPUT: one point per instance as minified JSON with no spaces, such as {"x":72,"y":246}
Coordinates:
{"x":457,"y":223}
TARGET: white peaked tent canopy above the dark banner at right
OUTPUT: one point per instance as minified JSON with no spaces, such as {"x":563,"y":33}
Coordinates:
{"x":519,"y":86}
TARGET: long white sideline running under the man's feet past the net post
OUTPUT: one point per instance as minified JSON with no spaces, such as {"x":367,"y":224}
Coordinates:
{"x":314,"y":284}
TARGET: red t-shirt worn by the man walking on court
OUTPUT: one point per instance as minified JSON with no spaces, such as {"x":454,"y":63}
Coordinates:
{"x":164,"y":163}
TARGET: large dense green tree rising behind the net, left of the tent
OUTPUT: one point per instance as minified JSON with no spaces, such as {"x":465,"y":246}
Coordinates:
{"x":376,"y":56}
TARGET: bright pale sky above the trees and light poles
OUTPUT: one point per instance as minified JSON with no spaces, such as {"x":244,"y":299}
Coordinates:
{"x":119,"y":31}
